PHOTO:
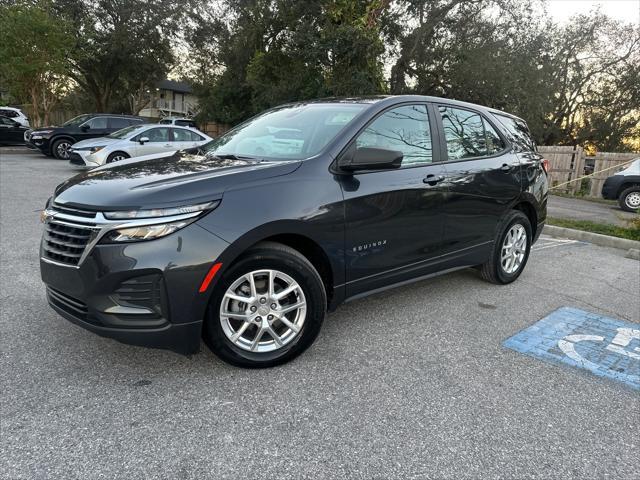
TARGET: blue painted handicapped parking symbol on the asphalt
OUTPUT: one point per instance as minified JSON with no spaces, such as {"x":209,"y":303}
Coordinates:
{"x":605,"y":346}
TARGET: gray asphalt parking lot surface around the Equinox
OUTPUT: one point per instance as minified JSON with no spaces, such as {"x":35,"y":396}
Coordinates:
{"x":410,"y":383}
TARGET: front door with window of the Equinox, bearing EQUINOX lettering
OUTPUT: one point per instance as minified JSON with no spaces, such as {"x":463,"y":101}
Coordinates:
{"x":394,"y":222}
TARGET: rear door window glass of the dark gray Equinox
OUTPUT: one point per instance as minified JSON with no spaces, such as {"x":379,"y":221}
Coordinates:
{"x":468,"y":135}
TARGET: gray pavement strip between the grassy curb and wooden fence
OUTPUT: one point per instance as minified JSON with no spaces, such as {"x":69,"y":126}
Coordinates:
{"x":577,"y":209}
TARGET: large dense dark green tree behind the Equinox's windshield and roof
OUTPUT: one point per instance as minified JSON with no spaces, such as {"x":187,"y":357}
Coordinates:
{"x":271,"y":52}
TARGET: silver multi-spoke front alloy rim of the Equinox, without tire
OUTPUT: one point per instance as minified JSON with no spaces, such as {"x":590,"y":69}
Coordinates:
{"x":263,"y":310}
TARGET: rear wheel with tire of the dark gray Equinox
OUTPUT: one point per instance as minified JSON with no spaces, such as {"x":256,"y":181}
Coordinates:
{"x":510,"y":251}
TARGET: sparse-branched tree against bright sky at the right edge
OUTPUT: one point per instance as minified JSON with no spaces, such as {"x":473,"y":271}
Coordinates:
{"x":594,"y":60}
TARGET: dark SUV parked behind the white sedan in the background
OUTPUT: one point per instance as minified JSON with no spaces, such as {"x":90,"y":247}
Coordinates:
{"x":57,"y":141}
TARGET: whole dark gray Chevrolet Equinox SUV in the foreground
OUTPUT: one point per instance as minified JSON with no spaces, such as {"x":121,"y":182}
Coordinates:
{"x":287,"y":216}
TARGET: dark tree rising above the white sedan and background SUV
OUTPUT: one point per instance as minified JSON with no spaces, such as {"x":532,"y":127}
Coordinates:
{"x":122,"y":47}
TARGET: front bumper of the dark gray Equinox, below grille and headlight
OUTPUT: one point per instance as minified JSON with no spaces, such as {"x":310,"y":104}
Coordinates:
{"x":140,"y":293}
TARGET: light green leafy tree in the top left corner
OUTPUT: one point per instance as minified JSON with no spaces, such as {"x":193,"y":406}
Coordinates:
{"x":33,"y":50}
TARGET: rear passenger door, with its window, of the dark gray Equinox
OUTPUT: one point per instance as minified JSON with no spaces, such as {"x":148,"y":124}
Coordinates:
{"x":483,"y":179}
